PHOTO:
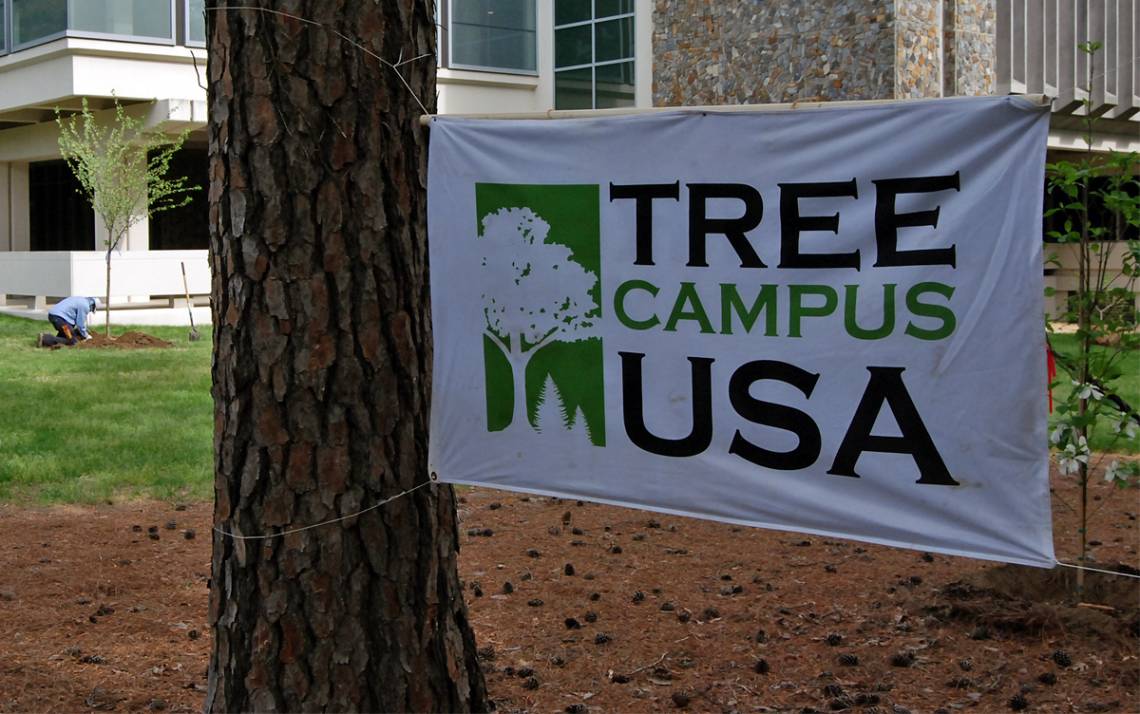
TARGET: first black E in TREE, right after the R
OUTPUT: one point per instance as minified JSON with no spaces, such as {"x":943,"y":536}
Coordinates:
{"x":793,"y":224}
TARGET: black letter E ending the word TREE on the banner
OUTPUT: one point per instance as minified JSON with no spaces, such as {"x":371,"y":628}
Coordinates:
{"x":887,"y":223}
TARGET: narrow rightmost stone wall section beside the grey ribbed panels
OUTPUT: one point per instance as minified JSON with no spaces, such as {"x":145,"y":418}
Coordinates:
{"x":968,"y":33}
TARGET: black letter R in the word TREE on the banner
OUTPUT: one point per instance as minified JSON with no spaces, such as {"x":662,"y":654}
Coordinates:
{"x":702,"y":226}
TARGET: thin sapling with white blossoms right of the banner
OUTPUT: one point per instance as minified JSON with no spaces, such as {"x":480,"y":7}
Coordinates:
{"x":1101,"y":207}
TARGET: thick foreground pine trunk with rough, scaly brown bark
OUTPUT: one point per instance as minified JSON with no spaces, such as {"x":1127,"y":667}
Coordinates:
{"x":322,"y":369}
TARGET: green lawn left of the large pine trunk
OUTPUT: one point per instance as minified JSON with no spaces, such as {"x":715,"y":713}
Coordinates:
{"x":86,"y":426}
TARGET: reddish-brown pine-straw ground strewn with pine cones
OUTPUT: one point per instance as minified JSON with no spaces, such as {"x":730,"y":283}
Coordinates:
{"x":589,"y":608}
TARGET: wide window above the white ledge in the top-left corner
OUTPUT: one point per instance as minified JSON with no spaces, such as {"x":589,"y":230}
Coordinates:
{"x":38,"y":21}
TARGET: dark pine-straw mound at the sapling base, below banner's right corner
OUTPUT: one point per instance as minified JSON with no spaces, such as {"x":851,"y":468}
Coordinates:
{"x":1015,"y":599}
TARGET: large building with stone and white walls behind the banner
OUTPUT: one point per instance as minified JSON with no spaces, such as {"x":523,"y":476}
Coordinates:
{"x":499,"y":56}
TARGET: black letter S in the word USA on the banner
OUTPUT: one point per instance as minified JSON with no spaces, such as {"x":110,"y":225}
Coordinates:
{"x":778,"y":416}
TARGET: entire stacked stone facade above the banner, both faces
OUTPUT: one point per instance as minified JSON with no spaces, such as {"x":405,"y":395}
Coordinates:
{"x":754,"y":52}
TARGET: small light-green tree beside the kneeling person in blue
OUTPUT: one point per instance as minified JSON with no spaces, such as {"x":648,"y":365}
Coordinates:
{"x":123,"y":171}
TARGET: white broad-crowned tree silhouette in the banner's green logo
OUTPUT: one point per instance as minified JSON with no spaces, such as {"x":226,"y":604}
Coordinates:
{"x":547,"y":299}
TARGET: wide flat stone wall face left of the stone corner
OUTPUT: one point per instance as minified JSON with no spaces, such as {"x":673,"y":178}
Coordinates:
{"x":738,"y":52}
